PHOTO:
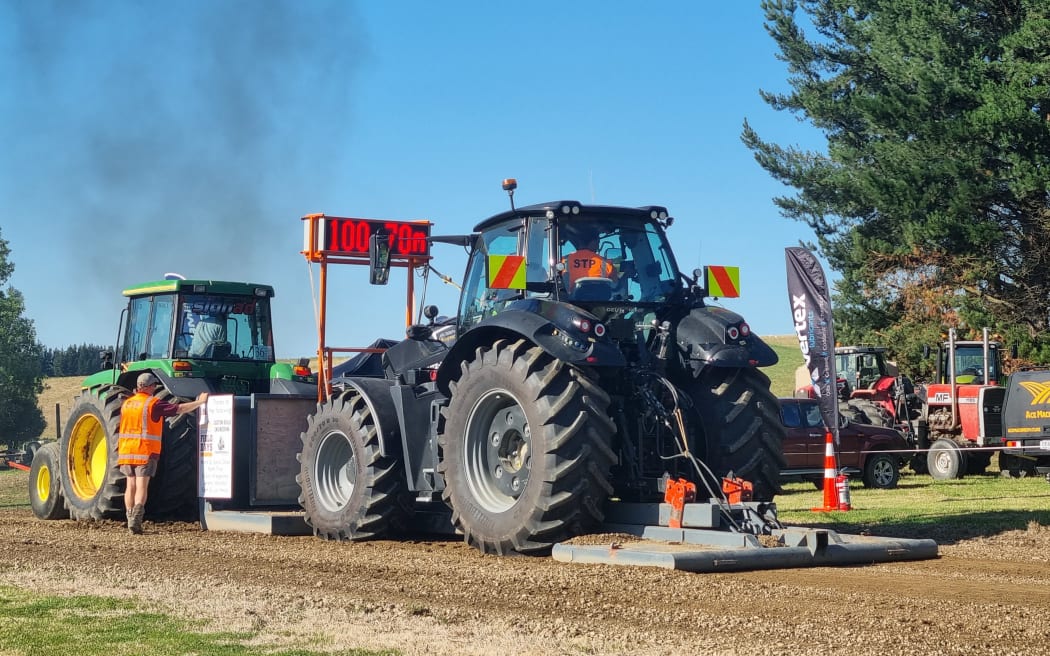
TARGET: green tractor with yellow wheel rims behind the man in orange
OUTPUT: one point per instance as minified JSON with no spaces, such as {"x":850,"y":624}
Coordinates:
{"x":195,"y":336}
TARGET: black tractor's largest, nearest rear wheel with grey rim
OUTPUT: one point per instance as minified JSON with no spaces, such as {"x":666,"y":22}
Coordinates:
{"x":526,"y":451}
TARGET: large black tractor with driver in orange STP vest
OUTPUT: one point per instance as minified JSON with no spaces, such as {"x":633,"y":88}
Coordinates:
{"x":582,"y":369}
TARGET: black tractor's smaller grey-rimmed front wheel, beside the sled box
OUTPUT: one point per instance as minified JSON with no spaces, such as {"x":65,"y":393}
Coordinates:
{"x":350,"y":491}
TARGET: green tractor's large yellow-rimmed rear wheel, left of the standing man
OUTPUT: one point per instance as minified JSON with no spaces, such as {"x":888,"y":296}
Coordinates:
{"x":92,"y":484}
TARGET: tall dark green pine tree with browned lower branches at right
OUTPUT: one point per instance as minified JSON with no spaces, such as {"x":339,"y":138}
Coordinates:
{"x":932,"y":198}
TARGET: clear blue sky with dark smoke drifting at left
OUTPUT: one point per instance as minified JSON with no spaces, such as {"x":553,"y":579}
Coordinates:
{"x":145,"y":138}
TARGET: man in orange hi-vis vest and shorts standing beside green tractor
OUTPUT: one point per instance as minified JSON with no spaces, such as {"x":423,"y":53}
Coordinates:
{"x":139,"y":442}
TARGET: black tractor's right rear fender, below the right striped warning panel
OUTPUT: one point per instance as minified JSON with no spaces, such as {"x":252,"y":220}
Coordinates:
{"x":703,"y":338}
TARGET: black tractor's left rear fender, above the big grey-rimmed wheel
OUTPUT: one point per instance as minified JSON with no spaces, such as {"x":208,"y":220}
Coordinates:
{"x":547,"y":325}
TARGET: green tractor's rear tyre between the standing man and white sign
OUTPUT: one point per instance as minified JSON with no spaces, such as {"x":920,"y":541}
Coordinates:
{"x":173,"y":491}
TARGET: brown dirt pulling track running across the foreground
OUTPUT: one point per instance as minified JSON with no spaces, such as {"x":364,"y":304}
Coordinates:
{"x":990,"y":596}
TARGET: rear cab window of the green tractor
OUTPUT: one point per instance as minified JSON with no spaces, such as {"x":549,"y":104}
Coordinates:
{"x":220,"y":327}
